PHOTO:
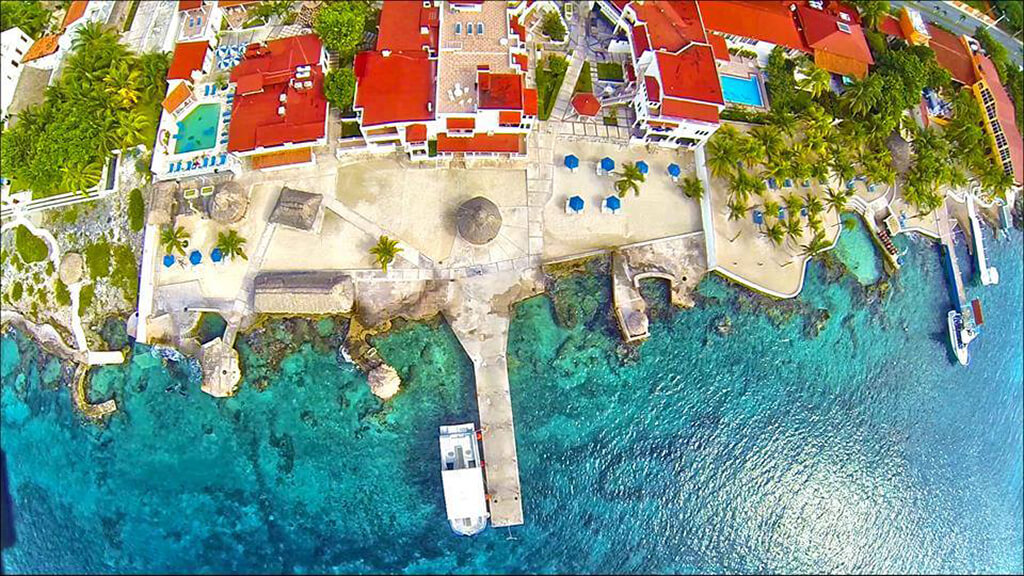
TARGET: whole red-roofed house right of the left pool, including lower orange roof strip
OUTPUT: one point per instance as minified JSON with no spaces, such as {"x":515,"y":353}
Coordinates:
{"x":279,"y":104}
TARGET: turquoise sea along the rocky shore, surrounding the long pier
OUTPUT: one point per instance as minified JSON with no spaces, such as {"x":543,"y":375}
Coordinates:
{"x":756,"y":448}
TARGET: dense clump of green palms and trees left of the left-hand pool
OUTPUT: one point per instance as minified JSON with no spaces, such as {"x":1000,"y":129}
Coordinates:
{"x":107,"y":99}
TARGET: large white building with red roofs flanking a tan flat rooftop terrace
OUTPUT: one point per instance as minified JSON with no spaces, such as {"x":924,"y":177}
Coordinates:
{"x":451,"y":73}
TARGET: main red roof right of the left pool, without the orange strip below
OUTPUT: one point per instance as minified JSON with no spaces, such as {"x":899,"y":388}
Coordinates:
{"x":255,"y":122}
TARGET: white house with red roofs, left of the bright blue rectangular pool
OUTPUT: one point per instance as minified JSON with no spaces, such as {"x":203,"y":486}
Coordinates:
{"x":679,"y":96}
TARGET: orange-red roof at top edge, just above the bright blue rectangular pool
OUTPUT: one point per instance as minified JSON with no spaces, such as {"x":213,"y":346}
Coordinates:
{"x":770,"y":21}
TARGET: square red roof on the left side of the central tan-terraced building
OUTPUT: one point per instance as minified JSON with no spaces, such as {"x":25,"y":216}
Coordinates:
{"x":396,"y":89}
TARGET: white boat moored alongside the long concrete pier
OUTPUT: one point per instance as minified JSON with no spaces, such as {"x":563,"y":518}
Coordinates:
{"x":462,"y":478}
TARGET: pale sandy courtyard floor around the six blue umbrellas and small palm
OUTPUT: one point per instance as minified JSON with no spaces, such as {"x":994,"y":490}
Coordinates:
{"x":660,"y":212}
